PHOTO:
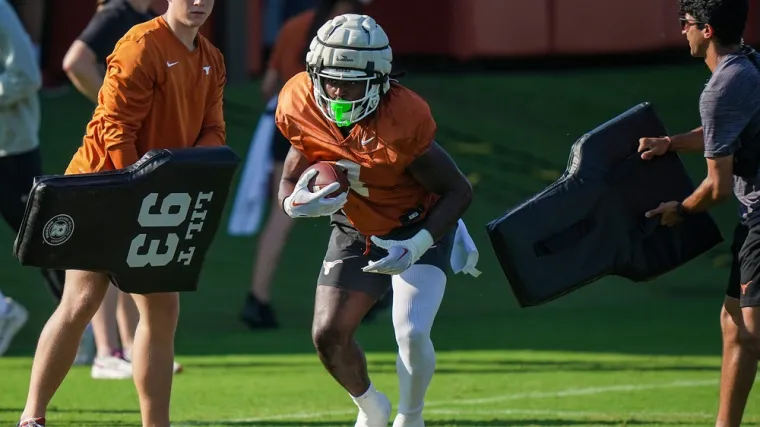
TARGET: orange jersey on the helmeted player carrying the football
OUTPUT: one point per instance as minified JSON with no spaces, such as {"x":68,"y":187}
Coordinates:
{"x":375,"y":154}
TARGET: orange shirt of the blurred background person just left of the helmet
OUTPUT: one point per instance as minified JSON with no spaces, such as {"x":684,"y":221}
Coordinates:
{"x":287,"y":55}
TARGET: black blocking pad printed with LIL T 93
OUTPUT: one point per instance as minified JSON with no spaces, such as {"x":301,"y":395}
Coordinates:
{"x":148,"y":226}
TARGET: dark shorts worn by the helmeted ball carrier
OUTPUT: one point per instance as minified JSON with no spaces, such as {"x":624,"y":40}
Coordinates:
{"x":345,"y":257}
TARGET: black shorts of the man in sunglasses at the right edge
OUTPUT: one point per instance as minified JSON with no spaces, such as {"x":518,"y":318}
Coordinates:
{"x":744,"y":279}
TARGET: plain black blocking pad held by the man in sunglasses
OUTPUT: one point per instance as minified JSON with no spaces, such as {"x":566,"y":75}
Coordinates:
{"x":590,"y":223}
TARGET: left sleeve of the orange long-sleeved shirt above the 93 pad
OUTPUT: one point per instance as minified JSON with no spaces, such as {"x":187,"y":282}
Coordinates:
{"x":126,"y":99}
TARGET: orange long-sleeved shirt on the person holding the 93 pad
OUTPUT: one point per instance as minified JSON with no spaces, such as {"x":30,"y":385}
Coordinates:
{"x":156,"y":94}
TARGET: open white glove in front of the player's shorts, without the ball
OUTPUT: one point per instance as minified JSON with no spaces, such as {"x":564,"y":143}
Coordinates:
{"x":402,"y":254}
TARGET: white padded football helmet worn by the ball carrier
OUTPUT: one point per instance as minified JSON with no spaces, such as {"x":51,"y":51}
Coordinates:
{"x":350,"y":47}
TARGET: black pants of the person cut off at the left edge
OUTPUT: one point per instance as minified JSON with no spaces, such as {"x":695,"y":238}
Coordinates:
{"x":17,"y":173}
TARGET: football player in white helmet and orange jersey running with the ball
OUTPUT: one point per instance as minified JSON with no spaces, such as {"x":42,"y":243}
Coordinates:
{"x":396,"y":226}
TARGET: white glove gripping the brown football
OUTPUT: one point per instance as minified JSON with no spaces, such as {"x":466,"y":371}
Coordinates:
{"x":304,"y":203}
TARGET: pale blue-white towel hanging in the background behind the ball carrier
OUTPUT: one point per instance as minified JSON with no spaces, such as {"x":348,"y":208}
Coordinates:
{"x":253,"y":189}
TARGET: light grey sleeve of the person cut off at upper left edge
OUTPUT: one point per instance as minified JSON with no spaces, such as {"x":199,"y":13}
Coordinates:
{"x":21,"y":76}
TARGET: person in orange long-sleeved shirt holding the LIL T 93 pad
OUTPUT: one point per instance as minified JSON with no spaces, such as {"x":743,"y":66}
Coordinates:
{"x":163,"y":89}
